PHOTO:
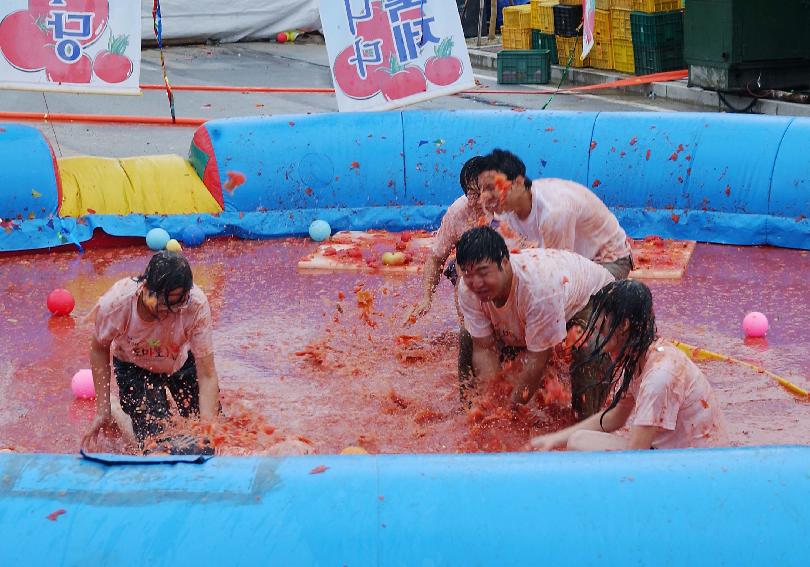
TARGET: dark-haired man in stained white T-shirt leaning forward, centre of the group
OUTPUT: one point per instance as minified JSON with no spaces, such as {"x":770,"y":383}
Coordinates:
{"x":527,"y":302}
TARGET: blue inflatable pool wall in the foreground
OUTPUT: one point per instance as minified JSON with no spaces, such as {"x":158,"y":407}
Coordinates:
{"x":693,"y":507}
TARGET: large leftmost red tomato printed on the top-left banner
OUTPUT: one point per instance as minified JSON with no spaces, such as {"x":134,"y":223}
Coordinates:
{"x":23,"y":42}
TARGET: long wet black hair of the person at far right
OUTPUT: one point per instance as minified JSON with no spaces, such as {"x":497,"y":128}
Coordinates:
{"x":620,"y":301}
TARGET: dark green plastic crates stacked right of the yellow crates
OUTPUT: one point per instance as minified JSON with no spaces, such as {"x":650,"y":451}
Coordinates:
{"x":657,"y":38}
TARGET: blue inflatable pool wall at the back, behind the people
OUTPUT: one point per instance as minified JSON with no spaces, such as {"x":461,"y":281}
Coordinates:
{"x":708,"y":177}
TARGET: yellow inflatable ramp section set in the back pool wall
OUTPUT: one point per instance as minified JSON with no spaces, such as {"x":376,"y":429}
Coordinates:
{"x":149,"y":185}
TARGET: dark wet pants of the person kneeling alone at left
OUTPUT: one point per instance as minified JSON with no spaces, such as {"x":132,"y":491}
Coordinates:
{"x":143,"y":395}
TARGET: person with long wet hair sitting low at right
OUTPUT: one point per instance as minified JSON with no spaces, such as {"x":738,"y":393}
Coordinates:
{"x":659,"y":391}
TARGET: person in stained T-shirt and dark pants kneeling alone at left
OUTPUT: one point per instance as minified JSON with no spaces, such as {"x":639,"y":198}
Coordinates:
{"x":157,"y":329}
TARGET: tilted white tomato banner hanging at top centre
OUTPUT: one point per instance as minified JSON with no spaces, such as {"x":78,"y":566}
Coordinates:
{"x":390,"y":53}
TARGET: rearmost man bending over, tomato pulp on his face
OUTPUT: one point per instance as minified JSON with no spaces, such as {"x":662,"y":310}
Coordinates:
{"x":552,"y":213}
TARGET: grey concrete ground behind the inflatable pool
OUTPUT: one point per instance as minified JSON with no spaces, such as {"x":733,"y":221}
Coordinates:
{"x":256,"y":64}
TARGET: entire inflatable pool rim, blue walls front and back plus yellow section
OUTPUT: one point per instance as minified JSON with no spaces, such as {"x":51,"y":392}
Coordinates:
{"x":712,"y":178}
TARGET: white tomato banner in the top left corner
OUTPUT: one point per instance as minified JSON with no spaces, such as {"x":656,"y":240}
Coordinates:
{"x":71,"y":45}
